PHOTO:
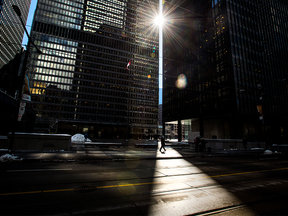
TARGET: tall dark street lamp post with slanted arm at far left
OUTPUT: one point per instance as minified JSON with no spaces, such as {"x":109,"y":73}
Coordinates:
{"x":22,"y":75}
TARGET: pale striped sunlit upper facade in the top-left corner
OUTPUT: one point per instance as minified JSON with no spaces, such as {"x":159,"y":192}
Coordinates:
{"x":11,"y":29}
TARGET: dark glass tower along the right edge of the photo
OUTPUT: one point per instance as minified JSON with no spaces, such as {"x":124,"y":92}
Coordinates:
{"x":258,"y":37}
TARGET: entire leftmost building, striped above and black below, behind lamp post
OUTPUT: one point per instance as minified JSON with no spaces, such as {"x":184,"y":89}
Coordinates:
{"x":11,"y":36}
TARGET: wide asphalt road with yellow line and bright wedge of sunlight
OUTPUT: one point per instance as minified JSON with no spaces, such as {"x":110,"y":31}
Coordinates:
{"x":224,"y":185}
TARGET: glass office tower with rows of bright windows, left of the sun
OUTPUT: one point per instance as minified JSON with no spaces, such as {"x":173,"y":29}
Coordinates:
{"x":82,"y":83}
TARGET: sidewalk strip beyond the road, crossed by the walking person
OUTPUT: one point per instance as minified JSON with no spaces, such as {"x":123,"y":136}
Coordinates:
{"x":122,"y":153}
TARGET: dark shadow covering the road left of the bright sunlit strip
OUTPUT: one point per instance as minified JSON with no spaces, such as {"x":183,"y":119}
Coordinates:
{"x":120,"y":187}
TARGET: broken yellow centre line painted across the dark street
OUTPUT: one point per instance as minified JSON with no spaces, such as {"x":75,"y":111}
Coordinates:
{"x":137,"y":184}
